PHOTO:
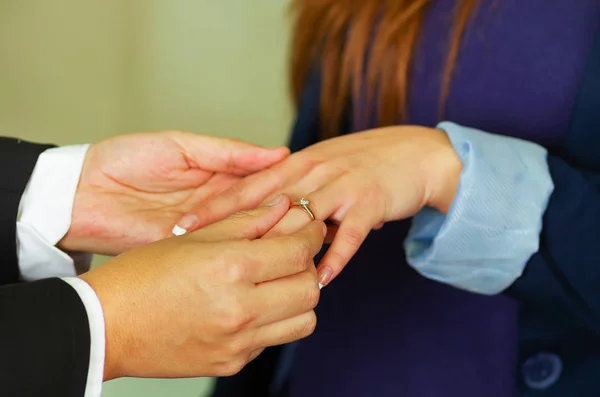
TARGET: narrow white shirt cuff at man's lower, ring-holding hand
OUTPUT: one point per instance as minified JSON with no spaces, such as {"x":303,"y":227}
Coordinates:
{"x":95,"y":314}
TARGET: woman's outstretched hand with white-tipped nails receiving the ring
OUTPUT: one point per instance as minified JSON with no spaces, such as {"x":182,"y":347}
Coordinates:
{"x":358,"y":181}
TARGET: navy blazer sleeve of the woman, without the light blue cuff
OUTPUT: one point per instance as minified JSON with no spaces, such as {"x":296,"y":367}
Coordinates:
{"x":563,"y":276}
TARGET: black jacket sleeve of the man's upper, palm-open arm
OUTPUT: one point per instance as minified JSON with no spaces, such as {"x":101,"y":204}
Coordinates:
{"x":17,"y":161}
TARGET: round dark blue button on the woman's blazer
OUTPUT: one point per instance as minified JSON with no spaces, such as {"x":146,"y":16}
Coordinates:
{"x":541,"y":370}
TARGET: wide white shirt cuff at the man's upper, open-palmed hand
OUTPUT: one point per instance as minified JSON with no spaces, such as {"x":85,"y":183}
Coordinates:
{"x":45,"y":215}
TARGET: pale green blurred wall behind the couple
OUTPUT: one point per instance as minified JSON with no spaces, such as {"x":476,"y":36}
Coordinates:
{"x":75,"y":71}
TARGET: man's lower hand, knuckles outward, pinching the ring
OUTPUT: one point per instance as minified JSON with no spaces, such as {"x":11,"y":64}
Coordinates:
{"x":207,"y":303}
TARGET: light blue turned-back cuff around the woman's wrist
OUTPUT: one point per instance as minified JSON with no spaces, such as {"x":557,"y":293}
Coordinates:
{"x":493,"y":226}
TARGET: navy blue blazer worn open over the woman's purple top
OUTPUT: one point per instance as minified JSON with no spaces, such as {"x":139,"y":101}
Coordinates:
{"x":559,"y":292}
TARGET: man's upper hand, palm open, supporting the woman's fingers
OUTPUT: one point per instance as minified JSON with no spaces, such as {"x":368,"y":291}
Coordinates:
{"x":133,"y":188}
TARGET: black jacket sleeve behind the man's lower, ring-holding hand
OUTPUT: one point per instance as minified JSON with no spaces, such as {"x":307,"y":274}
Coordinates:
{"x":44,"y":340}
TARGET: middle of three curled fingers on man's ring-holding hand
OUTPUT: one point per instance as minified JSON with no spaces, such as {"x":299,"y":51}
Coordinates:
{"x":284,"y":298}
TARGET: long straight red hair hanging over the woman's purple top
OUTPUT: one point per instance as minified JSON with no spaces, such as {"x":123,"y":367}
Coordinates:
{"x":338,"y":33}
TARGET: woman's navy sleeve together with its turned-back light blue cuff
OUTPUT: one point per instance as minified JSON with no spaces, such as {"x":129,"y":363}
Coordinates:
{"x":524,"y":222}
